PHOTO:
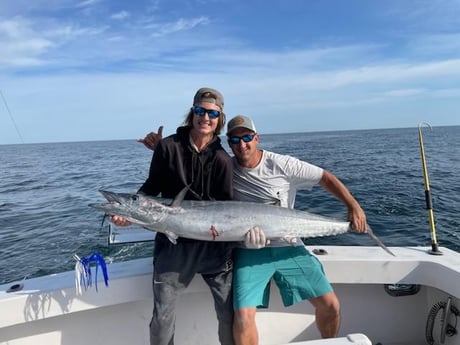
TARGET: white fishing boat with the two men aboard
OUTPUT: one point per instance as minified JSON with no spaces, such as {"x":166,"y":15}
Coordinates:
{"x":411,"y":298}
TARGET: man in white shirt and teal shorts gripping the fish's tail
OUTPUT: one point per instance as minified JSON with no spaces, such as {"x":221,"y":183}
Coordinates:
{"x":266,"y":177}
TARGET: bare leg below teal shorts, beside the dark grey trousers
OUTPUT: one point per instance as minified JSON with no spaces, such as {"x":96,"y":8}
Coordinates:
{"x":245,"y":328}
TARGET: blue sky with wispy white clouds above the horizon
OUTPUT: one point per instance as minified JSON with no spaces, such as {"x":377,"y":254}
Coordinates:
{"x":107,"y":69}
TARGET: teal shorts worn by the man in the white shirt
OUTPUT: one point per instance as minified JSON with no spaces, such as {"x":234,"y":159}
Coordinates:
{"x":298,"y":274}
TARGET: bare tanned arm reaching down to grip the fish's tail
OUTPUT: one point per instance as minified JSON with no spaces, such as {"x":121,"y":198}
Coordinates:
{"x":334,"y":186}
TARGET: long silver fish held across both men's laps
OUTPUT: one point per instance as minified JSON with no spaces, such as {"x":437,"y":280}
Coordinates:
{"x":220,"y":220}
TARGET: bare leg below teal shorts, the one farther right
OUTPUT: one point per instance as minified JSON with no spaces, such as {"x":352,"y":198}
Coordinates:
{"x":327,"y":314}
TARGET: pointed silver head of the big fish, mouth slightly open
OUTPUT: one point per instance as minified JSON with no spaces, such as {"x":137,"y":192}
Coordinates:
{"x":137,"y":208}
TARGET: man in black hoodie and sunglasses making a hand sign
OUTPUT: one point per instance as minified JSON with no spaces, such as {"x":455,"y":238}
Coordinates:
{"x":192,"y":157}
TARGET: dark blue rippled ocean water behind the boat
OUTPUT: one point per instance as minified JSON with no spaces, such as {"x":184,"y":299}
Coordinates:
{"x":45,"y":190}
